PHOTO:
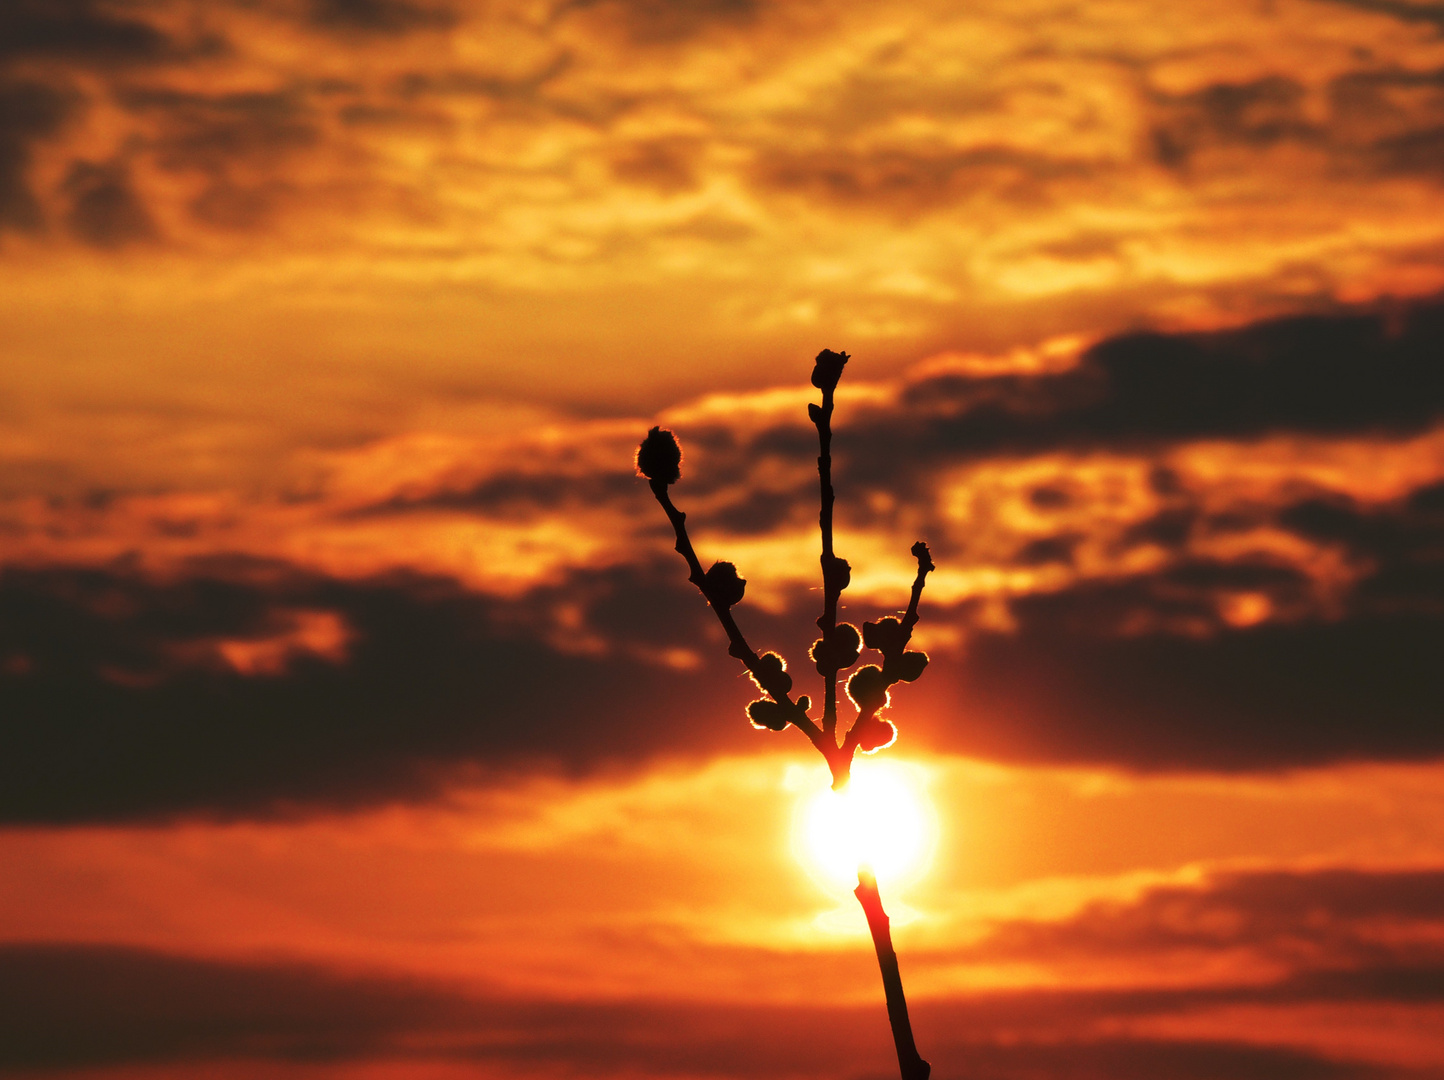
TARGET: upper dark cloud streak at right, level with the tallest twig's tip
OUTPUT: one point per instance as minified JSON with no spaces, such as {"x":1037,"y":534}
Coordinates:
{"x":1316,"y":375}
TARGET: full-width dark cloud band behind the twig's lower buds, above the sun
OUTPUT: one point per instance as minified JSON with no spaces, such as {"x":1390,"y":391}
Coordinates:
{"x":238,"y":694}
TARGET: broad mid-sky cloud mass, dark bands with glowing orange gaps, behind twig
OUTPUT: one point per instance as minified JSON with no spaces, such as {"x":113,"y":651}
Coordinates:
{"x":1178,"y":552}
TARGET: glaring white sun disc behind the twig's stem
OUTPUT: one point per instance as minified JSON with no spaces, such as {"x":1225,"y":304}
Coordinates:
{"x":883,"y":819}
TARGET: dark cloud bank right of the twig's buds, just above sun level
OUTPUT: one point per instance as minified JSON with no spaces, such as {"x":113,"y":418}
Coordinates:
{"x":1269,"y":697}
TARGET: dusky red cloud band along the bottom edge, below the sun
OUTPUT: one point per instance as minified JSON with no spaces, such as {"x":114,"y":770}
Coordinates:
{"x":69,"y":1007}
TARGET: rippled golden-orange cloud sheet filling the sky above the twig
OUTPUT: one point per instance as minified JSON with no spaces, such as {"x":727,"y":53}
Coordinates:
{"x":555,"y":203}
